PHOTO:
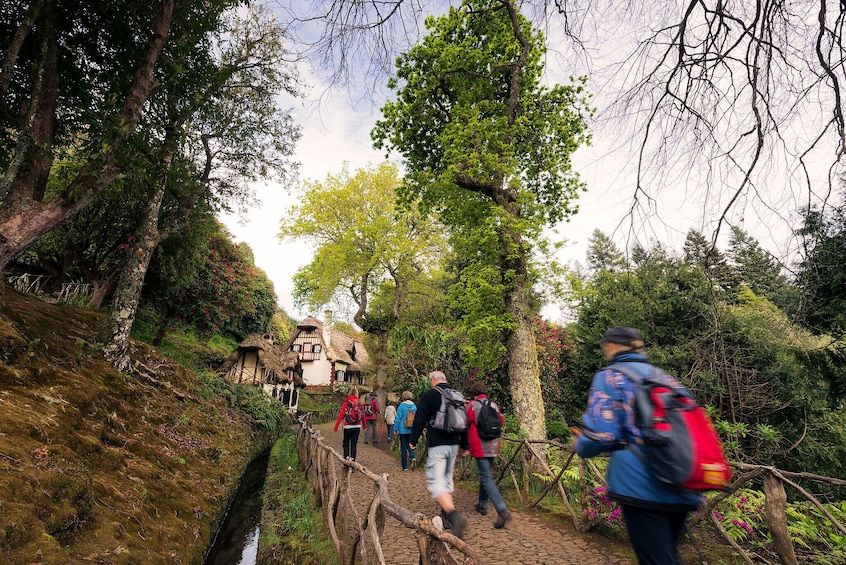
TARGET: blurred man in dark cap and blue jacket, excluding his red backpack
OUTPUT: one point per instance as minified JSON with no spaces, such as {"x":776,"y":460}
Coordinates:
{"x":654,"y":513}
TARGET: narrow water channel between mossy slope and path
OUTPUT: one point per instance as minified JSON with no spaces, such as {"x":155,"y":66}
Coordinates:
{"x":236,"y":541}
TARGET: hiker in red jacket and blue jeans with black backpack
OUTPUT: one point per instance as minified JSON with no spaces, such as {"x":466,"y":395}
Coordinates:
{"x":485,"y":450}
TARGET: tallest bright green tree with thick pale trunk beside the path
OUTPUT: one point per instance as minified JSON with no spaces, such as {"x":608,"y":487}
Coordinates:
{"x":485,"y":143}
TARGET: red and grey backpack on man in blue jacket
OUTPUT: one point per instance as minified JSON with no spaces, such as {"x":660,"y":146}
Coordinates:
{"x":680,"y":446}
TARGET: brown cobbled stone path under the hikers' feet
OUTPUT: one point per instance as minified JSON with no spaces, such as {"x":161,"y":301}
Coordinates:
{"x":525,"y":540}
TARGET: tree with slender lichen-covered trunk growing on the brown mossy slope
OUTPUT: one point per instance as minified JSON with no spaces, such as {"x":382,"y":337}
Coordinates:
{"x":222,"y":113}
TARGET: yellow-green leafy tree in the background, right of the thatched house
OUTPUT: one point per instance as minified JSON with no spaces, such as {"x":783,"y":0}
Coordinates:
{"x":364,"y":249}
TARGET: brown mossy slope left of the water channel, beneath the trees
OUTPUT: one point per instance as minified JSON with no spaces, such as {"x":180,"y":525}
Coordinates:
{"x":97,"y":466}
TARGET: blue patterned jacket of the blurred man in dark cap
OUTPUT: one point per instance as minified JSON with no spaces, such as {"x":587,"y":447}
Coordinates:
{"x":608,"y":424}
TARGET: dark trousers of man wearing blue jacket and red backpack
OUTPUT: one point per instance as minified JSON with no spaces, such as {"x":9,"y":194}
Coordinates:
{"x":655,"y":534}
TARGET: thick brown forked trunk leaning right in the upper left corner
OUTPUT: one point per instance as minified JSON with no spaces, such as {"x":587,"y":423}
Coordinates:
{"x":23,"y":216}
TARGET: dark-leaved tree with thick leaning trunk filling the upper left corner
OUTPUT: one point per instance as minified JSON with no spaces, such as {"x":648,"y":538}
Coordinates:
{"x":47,"y":103}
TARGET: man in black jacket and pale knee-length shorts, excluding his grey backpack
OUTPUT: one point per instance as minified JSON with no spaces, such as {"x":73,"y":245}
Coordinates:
{"x":442,"y":452}
